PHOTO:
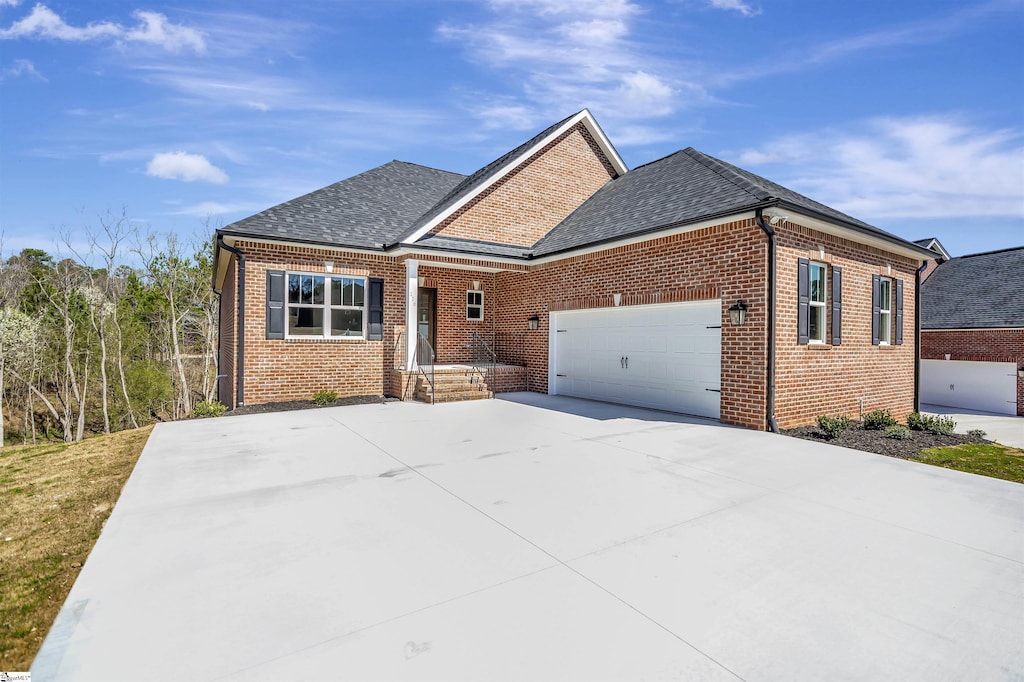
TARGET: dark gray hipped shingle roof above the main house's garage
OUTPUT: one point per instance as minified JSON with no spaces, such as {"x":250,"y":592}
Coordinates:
{"x":684,"y":188}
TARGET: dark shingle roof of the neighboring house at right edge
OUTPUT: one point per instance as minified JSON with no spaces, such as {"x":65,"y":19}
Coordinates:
{"x":984,"y":290}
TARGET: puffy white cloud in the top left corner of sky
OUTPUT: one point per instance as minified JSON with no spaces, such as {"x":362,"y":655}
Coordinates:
{"x":153,"y":29}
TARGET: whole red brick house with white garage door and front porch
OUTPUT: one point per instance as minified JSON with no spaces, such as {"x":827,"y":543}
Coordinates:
{"x":579,"y":277}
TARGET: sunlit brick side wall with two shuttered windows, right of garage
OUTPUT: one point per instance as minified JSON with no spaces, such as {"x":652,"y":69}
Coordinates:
{"x":817,"y":379}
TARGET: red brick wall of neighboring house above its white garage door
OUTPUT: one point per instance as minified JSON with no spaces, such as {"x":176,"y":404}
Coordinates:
{"x":1005,"y":346}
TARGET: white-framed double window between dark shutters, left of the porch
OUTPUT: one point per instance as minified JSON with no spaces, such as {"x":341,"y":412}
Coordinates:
{"x":330,"y":307}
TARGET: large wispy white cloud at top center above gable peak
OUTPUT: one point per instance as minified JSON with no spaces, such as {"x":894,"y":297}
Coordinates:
{"x":563,"y":56}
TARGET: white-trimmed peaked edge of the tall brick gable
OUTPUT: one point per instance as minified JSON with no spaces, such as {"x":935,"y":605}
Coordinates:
{"x":477,"y":184}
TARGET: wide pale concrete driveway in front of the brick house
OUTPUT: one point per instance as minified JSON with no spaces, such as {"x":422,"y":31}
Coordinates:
{"x":537,"y":538}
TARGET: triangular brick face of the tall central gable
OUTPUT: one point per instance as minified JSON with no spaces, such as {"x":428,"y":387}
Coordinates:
{"x":522,"y":207}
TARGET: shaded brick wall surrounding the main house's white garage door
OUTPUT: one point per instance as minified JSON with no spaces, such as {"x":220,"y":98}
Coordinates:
{"x":726,"y":262}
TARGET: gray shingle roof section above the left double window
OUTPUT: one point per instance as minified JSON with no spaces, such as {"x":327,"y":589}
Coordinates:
{"x":366,"y":210}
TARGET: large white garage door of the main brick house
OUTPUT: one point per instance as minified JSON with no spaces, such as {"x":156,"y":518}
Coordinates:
{"x":663,"y":357}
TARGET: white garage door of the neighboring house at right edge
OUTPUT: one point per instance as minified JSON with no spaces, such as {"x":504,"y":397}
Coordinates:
{"x":985,"y":387}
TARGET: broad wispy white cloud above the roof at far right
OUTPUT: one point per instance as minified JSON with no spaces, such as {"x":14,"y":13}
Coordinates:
{"x":914,"y":167}
